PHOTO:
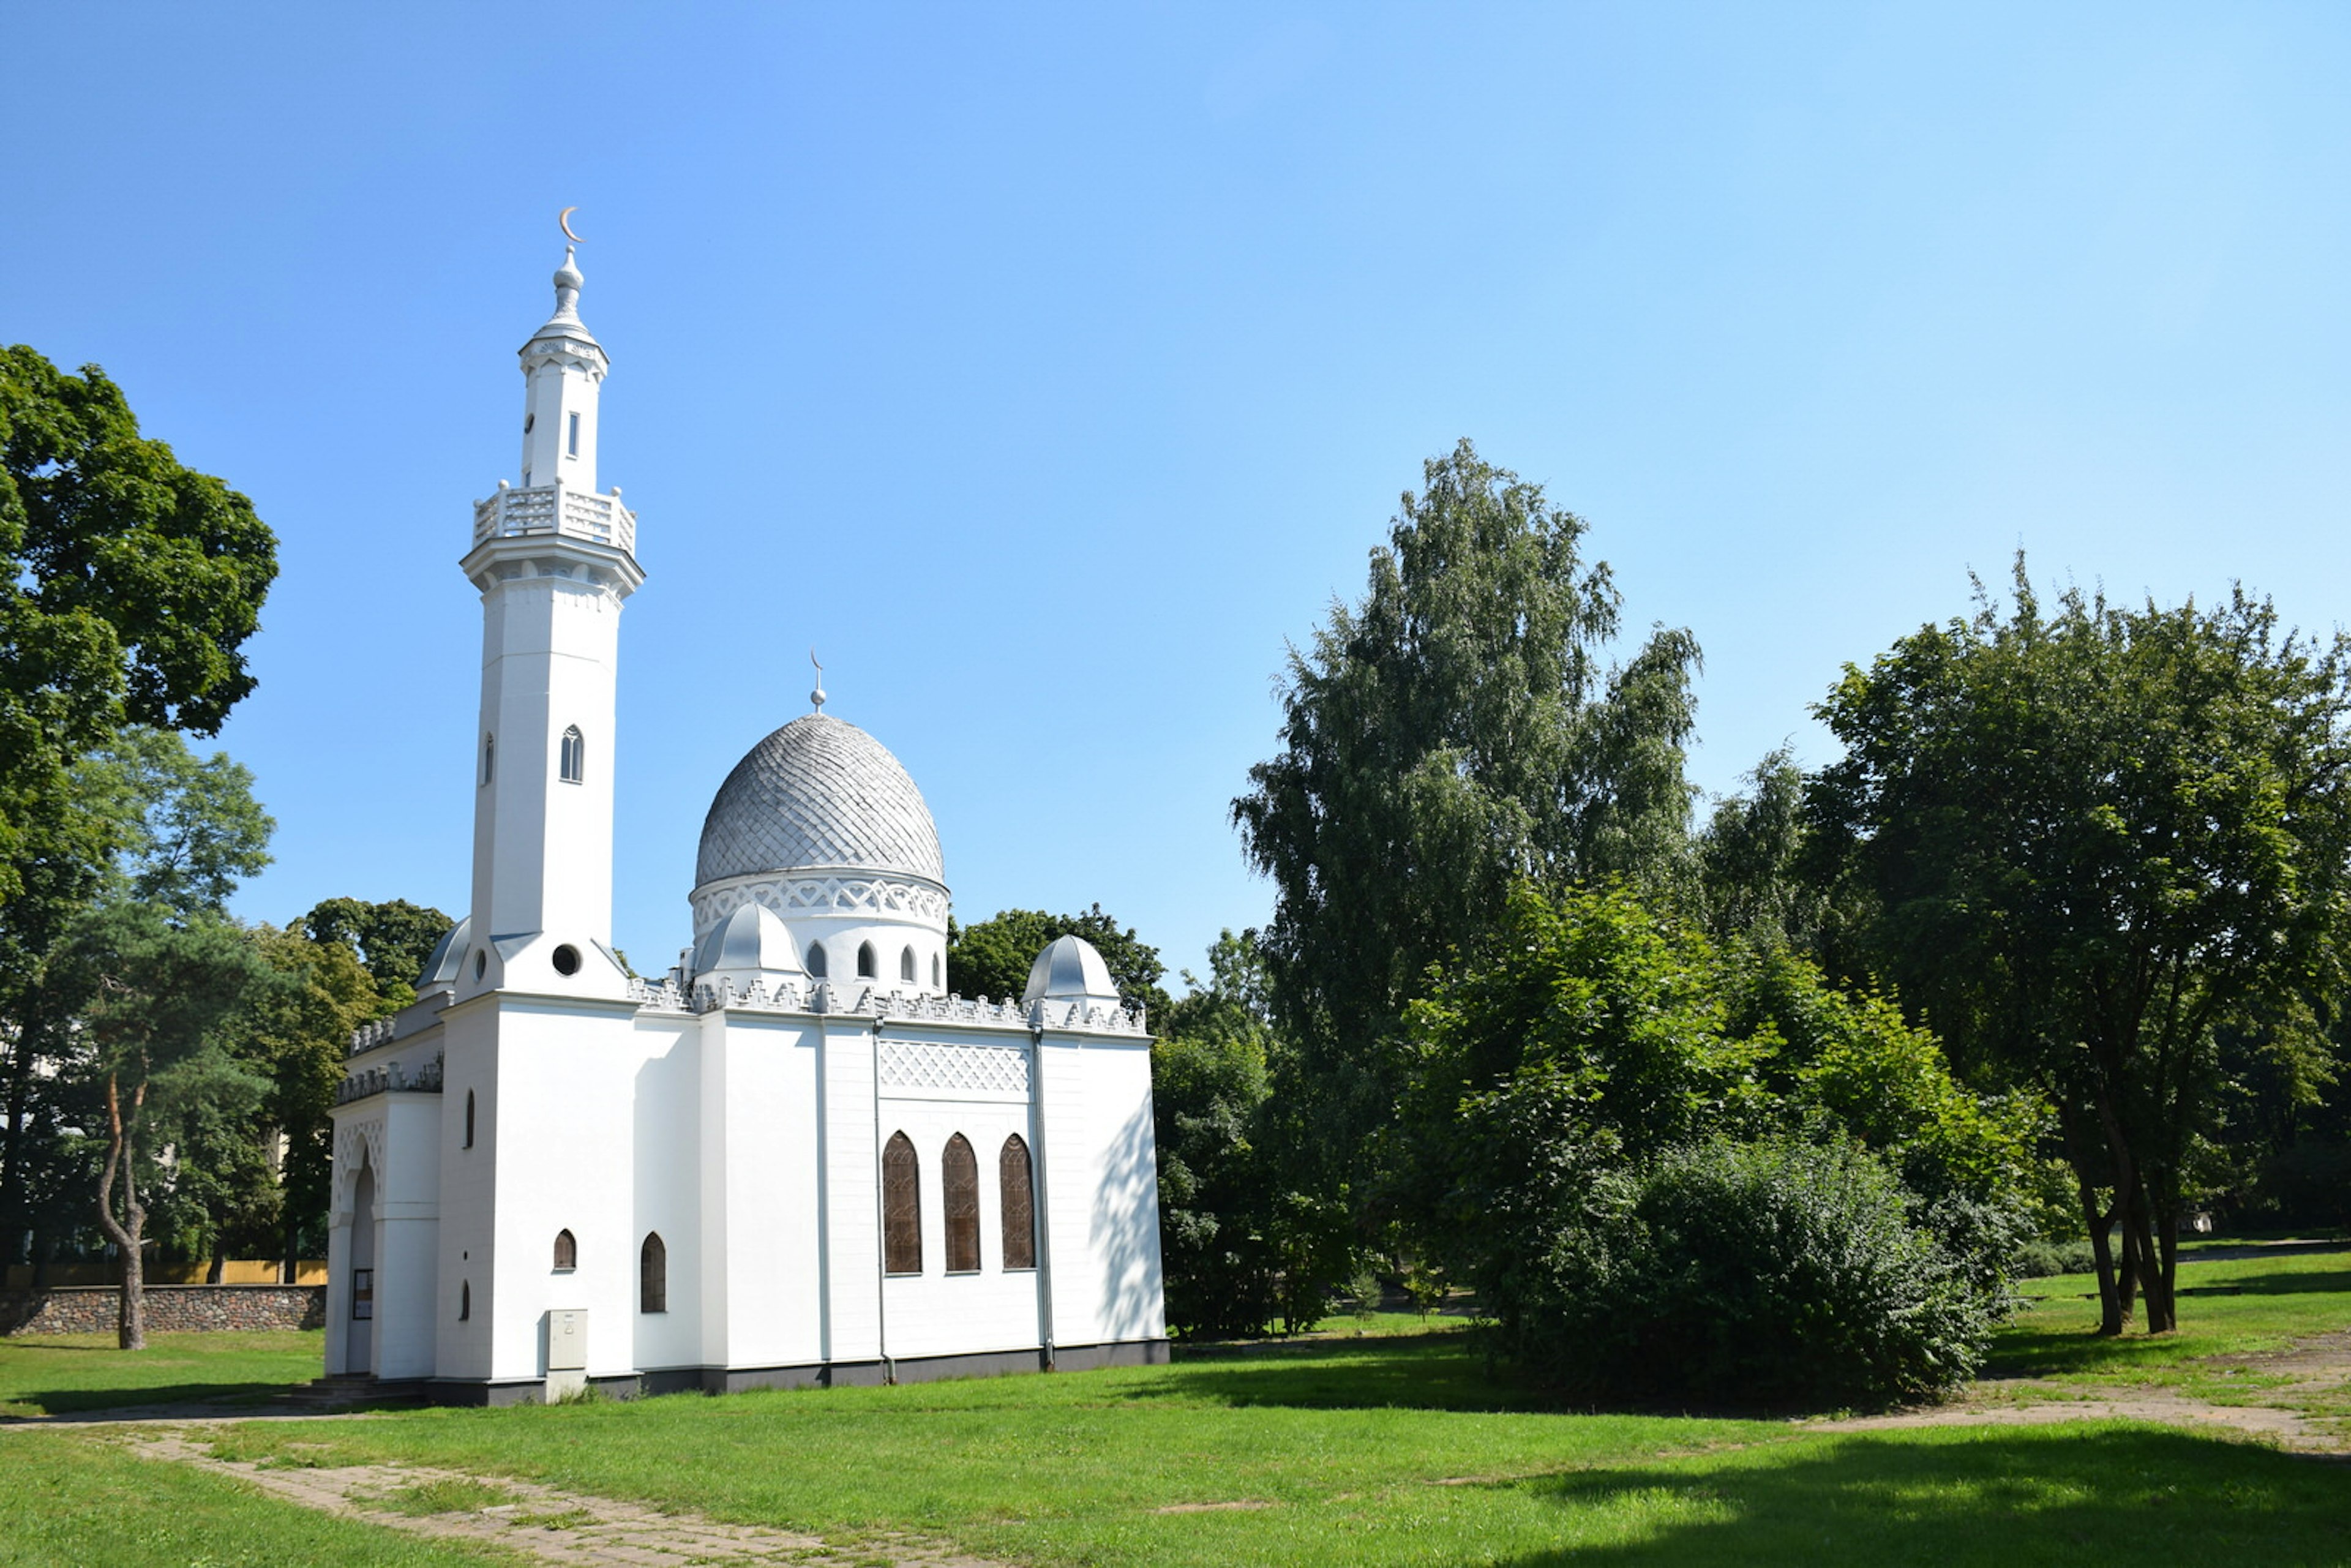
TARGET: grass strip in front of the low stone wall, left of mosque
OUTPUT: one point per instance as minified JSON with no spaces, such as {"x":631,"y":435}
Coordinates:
{"x":65,"y":1374}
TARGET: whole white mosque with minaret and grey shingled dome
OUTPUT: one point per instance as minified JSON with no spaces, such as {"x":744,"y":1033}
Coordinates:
{"x":793,"y":1160}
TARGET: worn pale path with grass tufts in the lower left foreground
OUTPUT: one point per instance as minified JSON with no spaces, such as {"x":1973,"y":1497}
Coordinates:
{"x":549,"y":1525}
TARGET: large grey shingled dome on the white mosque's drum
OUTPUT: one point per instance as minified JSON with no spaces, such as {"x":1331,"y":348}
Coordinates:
{"x":819,"y":793}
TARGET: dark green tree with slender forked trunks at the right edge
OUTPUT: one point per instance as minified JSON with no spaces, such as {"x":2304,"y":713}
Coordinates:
{"x":2096,"y":840}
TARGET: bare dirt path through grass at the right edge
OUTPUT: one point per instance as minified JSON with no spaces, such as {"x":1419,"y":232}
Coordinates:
{"x":2317,"y":1369}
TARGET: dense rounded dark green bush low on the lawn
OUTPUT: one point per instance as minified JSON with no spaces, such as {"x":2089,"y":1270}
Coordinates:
{"x":1776,"y":1273}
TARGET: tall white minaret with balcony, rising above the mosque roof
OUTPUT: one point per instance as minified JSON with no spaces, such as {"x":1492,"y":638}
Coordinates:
{"x":554,"y":561}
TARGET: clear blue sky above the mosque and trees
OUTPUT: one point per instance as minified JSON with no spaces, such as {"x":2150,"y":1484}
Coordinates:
{"x":1047,"y":368}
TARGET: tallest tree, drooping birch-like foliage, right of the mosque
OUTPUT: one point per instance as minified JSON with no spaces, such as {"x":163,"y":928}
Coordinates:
{"x":1442,"y":739}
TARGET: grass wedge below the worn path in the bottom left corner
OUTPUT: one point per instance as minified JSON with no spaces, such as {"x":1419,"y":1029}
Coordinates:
{"x":76,"y":1501}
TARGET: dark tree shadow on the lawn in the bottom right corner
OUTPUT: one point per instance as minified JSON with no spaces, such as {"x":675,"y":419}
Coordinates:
{"x":2077,"y":1496}
